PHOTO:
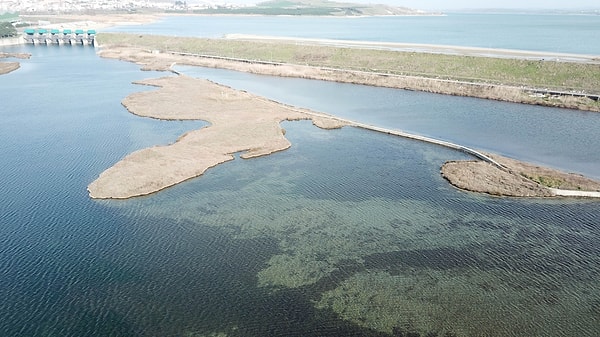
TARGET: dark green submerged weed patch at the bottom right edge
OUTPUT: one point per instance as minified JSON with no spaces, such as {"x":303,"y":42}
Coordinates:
{"x":426,"y":302}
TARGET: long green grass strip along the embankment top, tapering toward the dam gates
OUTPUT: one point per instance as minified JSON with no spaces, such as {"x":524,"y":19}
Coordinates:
{"x":565,"y":76}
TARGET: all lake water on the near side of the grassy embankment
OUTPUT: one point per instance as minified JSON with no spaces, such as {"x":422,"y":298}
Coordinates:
{"x":347,"y":233}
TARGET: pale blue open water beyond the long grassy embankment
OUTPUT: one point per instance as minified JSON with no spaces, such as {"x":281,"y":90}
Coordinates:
{"x":551,"y":33}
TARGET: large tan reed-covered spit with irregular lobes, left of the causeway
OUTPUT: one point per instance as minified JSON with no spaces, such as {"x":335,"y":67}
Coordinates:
{"x":239,"y":122}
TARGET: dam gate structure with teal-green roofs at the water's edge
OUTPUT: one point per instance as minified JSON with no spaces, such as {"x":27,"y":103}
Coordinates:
{"x":42,"y":36}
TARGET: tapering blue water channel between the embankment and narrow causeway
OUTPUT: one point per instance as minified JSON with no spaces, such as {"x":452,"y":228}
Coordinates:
{"x":560,"y":138}
